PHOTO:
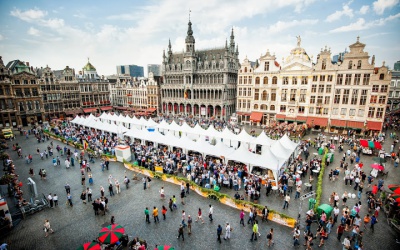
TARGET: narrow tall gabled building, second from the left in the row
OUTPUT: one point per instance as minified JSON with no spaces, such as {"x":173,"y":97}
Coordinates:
{"x":50,"y":90}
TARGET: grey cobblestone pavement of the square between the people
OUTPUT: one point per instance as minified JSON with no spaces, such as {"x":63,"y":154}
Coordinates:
{"x":74,"y":226}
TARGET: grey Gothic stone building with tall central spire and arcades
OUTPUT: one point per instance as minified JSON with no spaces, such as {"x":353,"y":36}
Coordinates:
{"x":200,"y":82}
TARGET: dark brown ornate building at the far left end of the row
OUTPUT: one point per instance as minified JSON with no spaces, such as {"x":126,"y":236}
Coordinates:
{"x":26,"y":90}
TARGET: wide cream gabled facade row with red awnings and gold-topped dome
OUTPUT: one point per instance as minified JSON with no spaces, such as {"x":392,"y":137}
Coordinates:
{"x":349,"y":94}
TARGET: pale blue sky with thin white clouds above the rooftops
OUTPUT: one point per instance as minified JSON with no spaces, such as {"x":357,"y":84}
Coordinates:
{"x":110,"y":33}
